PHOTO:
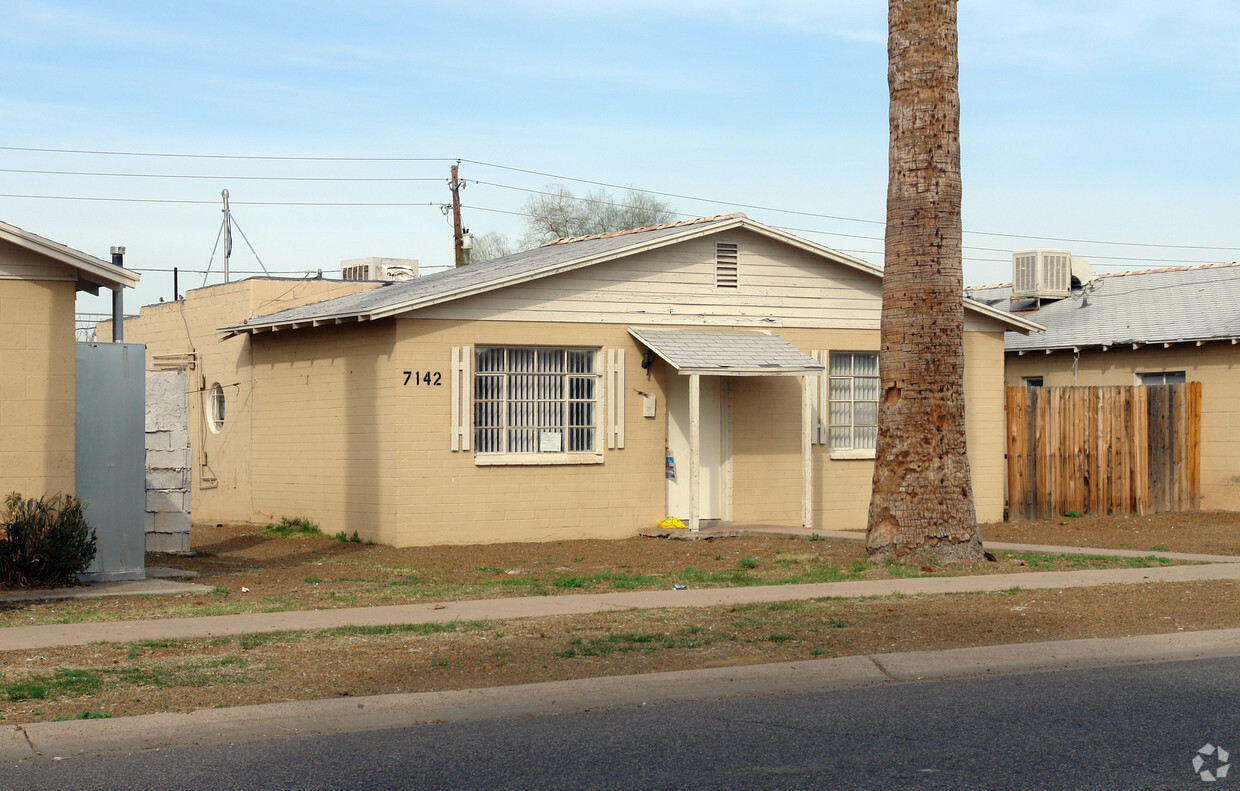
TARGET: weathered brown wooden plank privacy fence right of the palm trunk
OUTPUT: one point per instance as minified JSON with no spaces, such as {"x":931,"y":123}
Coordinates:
{"x":1117,"y":451}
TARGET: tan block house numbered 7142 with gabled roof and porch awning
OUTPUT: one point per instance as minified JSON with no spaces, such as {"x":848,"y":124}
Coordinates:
{"x":549,"y":395}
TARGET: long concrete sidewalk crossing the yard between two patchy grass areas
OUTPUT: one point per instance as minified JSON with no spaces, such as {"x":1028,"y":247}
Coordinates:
{"x":25,"y":638}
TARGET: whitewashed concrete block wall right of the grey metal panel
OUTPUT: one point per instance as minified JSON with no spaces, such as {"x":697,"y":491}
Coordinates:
{"x":169,"y":462}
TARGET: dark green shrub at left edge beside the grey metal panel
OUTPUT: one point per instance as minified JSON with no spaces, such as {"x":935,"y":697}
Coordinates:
{"x":46,"y":541}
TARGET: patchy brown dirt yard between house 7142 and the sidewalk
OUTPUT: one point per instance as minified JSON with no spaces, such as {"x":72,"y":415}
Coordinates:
{"x":254,"y":571}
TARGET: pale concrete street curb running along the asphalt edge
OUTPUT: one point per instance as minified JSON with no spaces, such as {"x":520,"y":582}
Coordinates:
{"x":149,"y":732}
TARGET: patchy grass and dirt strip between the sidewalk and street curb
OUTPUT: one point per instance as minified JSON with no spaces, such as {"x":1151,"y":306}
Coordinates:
{"x":187,"y":675}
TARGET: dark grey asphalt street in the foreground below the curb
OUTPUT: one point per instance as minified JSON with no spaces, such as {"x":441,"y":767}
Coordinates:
{"x":1120,"y":727}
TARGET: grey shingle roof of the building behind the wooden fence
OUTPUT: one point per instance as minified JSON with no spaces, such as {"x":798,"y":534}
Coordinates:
{"x":1174,"y":306}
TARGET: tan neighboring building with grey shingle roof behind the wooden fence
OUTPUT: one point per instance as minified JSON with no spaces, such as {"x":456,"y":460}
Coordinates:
{"x":1153,"y":327}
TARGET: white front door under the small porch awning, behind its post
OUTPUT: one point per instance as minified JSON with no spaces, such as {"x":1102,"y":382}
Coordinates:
{"x":712,"y":441}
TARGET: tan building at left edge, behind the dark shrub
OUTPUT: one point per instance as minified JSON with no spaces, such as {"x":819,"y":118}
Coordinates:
{"x":39,"y":283}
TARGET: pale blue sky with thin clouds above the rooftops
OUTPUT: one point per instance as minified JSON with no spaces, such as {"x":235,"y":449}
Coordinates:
{"x":1113,"y":123}
